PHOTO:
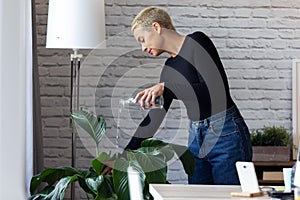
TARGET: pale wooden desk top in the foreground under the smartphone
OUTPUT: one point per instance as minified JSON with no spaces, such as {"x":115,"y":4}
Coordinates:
{"x":196,"y":192}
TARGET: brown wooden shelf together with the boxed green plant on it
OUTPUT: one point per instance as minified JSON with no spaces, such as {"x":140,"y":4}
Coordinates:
{"x":272,"y":148}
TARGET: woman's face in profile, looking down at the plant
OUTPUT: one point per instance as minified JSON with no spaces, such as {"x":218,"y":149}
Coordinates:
{"x":150,"y":40}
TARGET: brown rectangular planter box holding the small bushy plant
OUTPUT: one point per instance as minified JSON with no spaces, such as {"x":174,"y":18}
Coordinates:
{"x":271,"y":153}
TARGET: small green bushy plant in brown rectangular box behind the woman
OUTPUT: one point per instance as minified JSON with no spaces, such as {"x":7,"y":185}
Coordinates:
{"x":271,"y":144}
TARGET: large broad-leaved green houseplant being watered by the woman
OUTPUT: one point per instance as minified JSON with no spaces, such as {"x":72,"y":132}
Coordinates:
{"x":150,"y":160}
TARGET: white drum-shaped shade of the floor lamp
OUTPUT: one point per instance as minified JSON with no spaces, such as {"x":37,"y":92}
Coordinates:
{"x":75,"y":24}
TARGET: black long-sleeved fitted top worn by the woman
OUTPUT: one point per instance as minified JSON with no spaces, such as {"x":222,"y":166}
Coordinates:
{"x":195,"y":76}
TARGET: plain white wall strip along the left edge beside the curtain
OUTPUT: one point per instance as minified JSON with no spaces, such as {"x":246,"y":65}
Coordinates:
{"x":12,"y":99}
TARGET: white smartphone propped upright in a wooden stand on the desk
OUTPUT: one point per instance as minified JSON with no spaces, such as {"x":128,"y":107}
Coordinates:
{"x":247,"y":176}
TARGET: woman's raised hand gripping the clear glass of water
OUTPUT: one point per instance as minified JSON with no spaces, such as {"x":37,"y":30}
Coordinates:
{"x":149,"y":95}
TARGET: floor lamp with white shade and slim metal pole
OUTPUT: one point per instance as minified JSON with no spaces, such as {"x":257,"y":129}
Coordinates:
{"x":75,"y":24}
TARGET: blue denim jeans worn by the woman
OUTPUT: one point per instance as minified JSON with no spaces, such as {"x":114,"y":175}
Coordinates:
{"x":217,"y":143}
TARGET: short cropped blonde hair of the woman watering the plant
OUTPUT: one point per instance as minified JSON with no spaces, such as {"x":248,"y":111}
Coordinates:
{"x":150,"y":15}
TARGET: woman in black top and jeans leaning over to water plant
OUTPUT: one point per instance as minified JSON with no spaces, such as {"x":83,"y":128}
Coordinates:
{"x":194,"y":74}
